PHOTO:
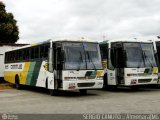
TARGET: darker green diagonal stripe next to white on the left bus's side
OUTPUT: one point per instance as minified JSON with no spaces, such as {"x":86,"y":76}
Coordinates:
{"x":35,"y":73}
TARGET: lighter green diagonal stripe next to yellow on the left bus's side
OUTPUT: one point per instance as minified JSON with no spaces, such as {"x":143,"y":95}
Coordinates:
{"x":30,"y":73}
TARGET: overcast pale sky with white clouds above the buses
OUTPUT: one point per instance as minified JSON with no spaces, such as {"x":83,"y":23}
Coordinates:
{"x":40,"y":20}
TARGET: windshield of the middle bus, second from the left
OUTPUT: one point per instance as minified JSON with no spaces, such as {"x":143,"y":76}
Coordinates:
{"x":139,"y":55}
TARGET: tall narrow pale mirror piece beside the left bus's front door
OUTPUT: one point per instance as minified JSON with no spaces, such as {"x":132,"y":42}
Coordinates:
{"x":50,"y":67}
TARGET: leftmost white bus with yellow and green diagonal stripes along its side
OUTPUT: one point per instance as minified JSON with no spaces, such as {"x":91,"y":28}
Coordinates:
{"x":56,"y":64}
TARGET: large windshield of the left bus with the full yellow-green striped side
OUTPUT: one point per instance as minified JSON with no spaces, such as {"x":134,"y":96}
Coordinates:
{"x":82,"y":56}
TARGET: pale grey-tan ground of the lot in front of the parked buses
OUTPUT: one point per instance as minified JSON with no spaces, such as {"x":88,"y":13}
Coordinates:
{"x":38,"y":101}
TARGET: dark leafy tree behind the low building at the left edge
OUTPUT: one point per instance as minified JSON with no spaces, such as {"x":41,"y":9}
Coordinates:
{"x":9,"y":32}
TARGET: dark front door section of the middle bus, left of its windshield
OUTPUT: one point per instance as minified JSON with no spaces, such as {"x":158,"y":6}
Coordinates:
{"x":116,"y":64}
